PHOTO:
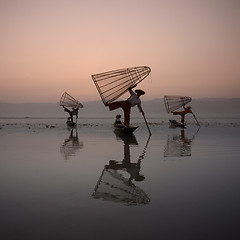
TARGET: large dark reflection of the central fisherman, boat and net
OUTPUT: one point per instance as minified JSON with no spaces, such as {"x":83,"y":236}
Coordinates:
{"x":114,"y":186}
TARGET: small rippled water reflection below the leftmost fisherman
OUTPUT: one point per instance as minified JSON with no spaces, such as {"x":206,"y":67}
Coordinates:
{"x":71,"y":144}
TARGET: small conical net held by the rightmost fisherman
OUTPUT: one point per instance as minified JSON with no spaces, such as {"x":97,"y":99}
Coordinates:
{"x":172,"y":103}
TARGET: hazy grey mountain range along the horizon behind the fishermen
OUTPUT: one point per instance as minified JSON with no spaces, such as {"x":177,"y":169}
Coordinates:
{"x":205,"y":107}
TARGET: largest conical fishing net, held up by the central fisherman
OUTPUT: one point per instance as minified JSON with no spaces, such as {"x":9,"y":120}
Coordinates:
{"x":113,"y":84}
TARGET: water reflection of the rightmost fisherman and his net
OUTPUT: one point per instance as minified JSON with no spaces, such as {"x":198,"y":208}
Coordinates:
{"x":179,"y":145}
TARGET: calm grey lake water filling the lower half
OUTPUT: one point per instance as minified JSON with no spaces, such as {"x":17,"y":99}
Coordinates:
{"x":93,"y":183}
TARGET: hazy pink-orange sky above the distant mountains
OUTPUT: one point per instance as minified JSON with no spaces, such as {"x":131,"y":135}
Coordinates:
{"x":51,"y":46}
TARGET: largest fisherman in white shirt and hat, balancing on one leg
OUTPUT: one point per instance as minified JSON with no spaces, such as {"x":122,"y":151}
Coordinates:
{"x":126,"y":105}
